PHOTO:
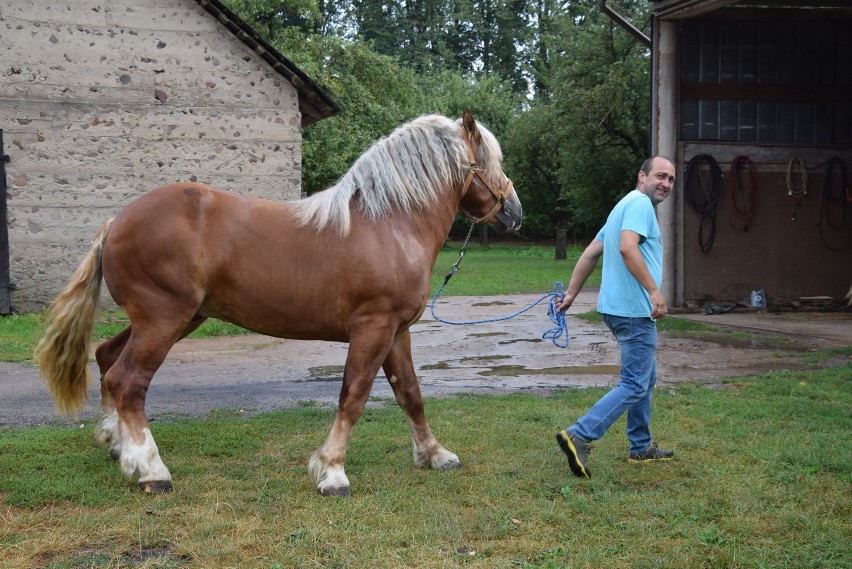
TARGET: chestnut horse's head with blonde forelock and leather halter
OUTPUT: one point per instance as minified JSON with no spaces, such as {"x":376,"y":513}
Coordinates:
{"x":488,"y":195}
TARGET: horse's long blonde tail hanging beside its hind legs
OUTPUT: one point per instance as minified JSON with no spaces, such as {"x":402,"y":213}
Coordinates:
{"x":63,"y":352}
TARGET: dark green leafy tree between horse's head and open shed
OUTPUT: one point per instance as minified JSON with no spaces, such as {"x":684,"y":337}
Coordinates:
{"x":581,"y":144}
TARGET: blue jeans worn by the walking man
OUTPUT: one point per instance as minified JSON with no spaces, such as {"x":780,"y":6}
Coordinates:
{"x":637,"y":339}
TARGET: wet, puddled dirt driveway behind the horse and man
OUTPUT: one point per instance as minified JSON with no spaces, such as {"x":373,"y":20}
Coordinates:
{"x":250,"y":374}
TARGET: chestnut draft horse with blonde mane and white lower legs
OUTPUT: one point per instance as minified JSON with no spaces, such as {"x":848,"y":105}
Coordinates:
{"x":351,"y":263}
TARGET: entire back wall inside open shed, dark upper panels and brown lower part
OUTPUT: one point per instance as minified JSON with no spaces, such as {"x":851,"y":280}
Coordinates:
{"x":773,"y":91}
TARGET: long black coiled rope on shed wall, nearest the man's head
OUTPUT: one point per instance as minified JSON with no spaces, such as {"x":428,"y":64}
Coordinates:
{"x":703,"y":188}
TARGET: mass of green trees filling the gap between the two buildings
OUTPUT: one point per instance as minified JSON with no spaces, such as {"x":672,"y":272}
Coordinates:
{"x":573,"y":145}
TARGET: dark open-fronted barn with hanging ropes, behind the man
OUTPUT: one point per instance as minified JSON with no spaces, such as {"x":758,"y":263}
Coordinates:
{"x":753,"y":99}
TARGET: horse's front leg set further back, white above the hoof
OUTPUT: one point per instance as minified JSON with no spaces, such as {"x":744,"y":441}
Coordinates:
{"x":366,"y":352}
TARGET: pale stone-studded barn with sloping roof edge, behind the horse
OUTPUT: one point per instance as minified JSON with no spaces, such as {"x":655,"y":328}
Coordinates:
{"x":102,"y":100}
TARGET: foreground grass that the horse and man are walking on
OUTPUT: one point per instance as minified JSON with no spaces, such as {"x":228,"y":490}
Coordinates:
{"x":761,"y":479}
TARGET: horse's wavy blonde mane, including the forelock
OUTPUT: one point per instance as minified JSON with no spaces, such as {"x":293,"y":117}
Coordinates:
{"x":407,"y":169}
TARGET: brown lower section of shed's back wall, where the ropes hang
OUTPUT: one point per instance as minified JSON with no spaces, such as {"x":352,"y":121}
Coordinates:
{"x":789,"y":250}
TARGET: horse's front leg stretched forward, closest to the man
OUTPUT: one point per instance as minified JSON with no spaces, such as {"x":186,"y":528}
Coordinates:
{"x":399,"y":369}
